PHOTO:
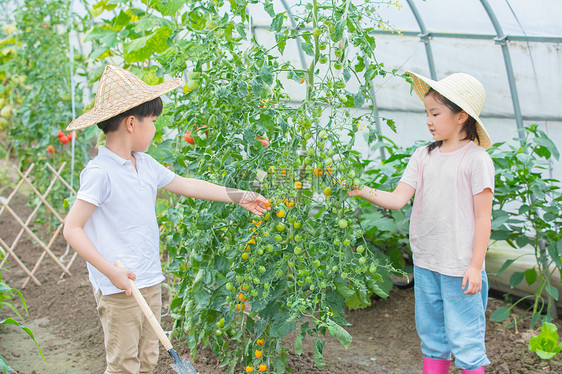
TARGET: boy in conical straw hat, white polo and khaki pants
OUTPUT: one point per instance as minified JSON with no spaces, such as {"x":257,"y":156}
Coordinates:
{"x":113,"y":217}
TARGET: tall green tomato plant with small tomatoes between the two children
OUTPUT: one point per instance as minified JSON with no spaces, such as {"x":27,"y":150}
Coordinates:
{"x":242,"y":283}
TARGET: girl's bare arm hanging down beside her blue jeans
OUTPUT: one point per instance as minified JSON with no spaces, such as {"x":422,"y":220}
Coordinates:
{"x":482,"y":228}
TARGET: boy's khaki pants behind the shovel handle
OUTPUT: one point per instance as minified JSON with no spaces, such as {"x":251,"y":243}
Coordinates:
{"x":131,"y":345}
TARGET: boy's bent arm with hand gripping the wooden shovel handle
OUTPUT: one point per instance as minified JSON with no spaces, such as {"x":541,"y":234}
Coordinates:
{"x":74,"y":234}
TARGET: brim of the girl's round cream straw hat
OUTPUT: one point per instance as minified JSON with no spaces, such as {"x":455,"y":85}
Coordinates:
{"x":423,"y":84}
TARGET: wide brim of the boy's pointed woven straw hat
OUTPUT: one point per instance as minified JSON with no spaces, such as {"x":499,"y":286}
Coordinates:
{"x":97,"y":115}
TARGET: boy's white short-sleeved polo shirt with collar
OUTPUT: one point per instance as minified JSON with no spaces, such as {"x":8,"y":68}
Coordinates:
{"x":124,"y":224}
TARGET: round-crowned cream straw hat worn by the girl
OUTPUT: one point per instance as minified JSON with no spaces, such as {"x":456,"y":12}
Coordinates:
{"x":462,"y":89}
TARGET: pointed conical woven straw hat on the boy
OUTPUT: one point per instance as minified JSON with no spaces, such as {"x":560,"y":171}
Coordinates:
{"x":119,"y":91}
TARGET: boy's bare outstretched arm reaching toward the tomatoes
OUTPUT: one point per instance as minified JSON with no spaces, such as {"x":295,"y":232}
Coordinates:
{"x":199,"y":189}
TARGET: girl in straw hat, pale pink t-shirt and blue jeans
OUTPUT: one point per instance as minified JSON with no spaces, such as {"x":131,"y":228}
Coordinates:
{"x":453,"y":182}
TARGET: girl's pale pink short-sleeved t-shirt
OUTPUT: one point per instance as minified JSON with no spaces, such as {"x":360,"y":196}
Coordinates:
{"x":442,"y":221}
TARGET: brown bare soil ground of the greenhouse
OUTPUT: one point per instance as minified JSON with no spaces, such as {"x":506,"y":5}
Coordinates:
{"x":63,"y":317}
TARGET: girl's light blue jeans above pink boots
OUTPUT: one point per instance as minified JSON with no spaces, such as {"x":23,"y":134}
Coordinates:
{"x":448,"y":321}
